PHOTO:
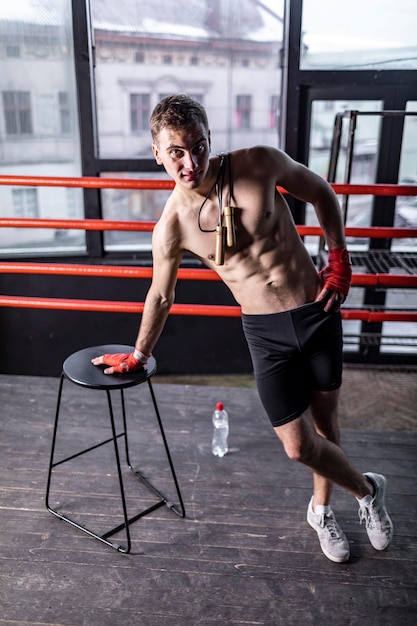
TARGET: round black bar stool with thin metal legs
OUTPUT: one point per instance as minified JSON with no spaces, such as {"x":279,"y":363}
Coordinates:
{"x":78,"y":369}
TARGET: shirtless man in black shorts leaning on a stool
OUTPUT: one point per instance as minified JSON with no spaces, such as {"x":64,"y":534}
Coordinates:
{"x":290,"y":313}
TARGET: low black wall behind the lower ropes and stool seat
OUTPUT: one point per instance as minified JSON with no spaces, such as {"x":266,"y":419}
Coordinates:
{"x":37,"y":341}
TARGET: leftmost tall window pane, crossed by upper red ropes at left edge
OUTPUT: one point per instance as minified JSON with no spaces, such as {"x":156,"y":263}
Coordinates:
{"x":38,"y":123}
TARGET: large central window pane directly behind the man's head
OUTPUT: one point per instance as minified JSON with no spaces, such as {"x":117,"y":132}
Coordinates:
{"x":224,"y":53}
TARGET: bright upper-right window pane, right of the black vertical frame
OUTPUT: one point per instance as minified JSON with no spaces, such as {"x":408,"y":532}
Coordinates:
{"x":357,"y":35}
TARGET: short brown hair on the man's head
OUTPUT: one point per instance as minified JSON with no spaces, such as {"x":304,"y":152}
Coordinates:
{"x":175,"y":112}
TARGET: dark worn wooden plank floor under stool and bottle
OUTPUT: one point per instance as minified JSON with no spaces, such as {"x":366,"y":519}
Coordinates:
{"x":244,"y":554}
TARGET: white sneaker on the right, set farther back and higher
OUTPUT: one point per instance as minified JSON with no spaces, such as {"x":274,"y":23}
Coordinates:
{"x":372,"y":511}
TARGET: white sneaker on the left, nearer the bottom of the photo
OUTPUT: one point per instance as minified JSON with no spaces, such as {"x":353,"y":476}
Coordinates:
{"x":332,"y":539}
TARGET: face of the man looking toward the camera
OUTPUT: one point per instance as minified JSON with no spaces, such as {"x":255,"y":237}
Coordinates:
{"x":184,"y":154}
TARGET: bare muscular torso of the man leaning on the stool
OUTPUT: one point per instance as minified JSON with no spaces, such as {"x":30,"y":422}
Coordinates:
{"x":268,"y":269}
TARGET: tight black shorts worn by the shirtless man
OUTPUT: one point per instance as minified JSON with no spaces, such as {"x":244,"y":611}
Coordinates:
{"x":294,"y":353}
